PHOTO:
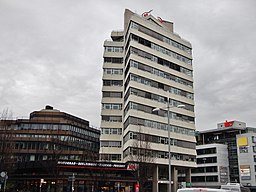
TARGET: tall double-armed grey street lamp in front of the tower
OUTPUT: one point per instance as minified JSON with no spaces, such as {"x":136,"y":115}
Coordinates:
{"x":169,"y":139}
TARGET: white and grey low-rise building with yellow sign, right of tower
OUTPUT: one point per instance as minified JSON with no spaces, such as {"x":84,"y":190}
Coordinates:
{"x":238,"y":153}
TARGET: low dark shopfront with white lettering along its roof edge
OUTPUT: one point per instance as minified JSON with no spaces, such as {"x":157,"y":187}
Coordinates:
{"x":66,"y":176}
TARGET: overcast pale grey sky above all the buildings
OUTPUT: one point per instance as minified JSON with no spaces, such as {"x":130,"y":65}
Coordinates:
{"x":51,"y":53}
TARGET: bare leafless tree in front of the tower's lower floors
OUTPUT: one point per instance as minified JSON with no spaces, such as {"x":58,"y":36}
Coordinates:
{"x":143,"y":156}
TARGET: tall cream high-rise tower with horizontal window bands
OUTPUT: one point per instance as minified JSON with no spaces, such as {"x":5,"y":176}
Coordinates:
{"x":145,"y":66}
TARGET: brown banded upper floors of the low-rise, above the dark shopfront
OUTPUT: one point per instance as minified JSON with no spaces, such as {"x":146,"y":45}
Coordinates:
{"x":49,"y":134}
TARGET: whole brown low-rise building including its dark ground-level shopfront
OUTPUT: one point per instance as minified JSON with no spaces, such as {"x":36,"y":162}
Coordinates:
{"x":54,"y":151}
